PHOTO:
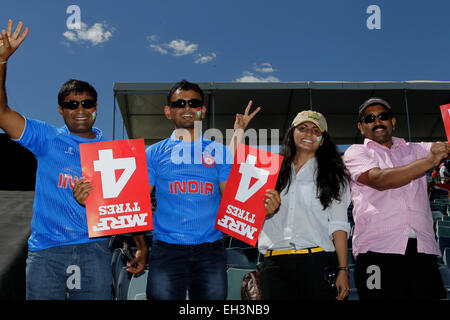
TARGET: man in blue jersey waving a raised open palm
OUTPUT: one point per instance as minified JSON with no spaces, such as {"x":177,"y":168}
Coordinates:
{"x":59,"y":245}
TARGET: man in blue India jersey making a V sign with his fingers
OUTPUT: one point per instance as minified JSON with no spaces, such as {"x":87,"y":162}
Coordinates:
{"x":189,"y":174}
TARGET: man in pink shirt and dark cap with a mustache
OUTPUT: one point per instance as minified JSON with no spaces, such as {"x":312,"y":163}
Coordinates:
{"x":394,"y":241}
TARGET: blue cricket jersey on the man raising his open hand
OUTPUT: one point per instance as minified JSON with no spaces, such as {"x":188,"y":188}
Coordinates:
{"x":58,"y":219}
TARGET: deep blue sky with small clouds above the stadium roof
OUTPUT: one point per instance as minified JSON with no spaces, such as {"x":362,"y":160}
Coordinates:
{"x":246,"y":40}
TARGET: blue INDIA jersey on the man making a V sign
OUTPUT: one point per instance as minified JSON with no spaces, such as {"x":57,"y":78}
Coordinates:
{"x":186,"y":176}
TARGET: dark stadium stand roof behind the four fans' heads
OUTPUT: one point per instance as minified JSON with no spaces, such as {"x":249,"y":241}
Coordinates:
{"x":415,"y":105}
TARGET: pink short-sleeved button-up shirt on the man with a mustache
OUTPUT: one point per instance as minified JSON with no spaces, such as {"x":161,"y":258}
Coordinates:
{"x":384,"y":219}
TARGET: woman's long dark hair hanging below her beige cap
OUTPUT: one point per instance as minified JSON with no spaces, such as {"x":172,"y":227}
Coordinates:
{"x":332,"y":176}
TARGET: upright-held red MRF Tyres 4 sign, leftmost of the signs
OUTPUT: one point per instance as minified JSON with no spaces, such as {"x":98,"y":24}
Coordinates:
{"x":120,"y":201}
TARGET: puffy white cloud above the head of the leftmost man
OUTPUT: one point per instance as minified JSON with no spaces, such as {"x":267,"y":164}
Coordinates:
{"x":97,"y":34}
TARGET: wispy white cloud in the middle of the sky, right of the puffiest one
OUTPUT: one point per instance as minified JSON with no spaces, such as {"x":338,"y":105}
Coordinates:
{"x":179,"y":47}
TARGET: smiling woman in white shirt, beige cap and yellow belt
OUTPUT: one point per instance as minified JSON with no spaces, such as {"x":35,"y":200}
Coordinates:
{"x":305,"y":242}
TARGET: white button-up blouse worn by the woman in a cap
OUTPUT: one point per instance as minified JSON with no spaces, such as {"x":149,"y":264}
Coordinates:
{"x":301,"y":221}
